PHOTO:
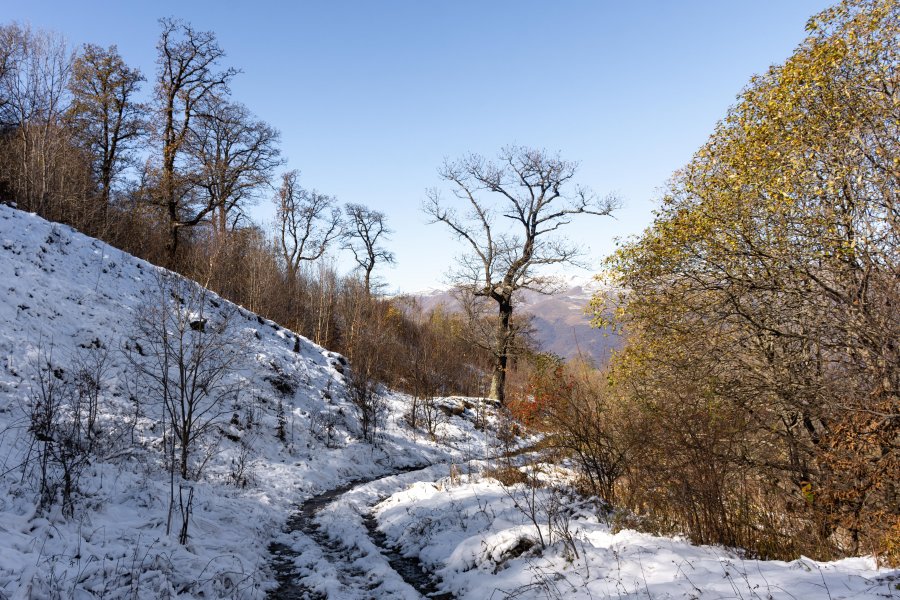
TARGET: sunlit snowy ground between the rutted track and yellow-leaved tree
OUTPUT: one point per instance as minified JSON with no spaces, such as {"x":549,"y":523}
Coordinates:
{"x":479,"y":537}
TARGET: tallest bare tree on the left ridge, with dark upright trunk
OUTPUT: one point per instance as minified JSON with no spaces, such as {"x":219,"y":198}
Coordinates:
{"x":188,"y":75}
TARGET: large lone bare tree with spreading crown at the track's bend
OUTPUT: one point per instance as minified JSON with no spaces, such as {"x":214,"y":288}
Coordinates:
{"x":536,"y":192}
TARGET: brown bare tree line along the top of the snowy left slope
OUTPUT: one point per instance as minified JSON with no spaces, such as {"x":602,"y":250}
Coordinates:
{"x":171,"y":178}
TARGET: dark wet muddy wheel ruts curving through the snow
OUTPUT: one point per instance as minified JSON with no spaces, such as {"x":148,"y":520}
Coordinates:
{"x":294,"y":582}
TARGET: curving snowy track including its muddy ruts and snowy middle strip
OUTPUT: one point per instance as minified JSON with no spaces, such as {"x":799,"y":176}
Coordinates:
{"x":332,"y":548}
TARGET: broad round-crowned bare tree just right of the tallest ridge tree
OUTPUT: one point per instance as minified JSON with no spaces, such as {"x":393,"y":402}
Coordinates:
{"x":236,"y":155}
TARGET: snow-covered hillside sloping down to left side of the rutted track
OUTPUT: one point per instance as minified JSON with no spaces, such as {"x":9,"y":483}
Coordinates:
{"x":68,"y":298}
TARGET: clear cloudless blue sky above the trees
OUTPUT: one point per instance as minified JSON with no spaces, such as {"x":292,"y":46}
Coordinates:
{"x":371,"y":96}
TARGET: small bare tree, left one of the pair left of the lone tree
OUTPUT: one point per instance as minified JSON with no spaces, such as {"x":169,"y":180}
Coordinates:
{"x":307,"y":223}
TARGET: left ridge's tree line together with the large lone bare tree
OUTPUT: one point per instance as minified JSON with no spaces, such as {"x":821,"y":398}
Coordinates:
{"x":171,"y":179}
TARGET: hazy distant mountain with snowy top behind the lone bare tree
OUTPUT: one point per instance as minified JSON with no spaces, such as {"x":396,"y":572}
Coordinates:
{"x":561,"y":324}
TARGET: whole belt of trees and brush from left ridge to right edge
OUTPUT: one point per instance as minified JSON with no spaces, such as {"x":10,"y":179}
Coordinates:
{"x":754,"y":402}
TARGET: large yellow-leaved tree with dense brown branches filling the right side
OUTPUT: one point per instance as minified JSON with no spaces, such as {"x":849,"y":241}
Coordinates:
{"x":762,"y":309}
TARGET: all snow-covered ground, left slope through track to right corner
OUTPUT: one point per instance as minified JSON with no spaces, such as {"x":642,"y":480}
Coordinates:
{"x":70,"y":300}
